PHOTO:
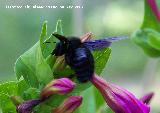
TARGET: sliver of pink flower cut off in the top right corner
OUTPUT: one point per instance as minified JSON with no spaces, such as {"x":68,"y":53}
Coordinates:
{"x":154,"y":7}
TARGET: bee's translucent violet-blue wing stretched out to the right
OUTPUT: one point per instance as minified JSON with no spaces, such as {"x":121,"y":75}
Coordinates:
{"x":102,"y":43}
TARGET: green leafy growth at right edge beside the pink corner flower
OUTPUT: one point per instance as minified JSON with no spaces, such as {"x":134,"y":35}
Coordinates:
{"x":147,"y":37}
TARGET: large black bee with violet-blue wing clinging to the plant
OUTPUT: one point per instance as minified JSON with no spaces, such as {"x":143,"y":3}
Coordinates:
{"x":78,"y":55}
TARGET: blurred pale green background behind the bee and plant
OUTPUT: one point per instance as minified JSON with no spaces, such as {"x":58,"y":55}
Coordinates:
{"x":128,"y":66}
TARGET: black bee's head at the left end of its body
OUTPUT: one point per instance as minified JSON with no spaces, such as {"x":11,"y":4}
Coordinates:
{"x":61,"y":47}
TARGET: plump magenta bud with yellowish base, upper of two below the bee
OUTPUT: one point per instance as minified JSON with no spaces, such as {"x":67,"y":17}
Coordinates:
{"x":58,"y":86}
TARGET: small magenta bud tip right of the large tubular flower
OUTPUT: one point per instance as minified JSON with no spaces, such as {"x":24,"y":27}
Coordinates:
{"x":147,"y":98}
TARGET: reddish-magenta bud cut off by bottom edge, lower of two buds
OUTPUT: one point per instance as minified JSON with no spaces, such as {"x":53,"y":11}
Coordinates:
{"x":69,"y":105}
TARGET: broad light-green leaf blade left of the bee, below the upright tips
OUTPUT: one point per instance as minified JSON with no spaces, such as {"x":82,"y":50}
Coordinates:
{"x":33,"y":67}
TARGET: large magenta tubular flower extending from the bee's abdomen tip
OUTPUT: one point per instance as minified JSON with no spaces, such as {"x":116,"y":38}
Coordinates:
{"x":119,"y":99}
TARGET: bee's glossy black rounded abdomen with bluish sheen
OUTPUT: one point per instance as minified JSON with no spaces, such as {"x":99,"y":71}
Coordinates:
{"x":82,"y":63}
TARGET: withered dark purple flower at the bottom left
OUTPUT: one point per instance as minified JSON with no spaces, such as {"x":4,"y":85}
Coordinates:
{"x":27,"y":106}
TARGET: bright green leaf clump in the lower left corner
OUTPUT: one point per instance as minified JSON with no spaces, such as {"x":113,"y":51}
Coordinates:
{"x":12,"y":90}
